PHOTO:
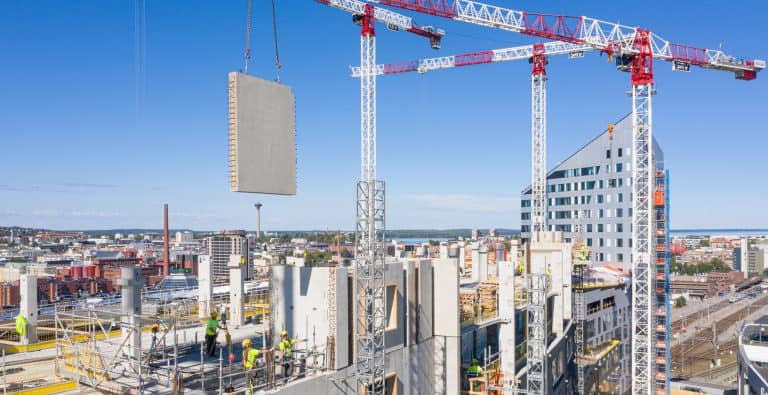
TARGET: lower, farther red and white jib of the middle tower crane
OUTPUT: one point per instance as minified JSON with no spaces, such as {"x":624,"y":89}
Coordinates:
{"x":473,"y":58}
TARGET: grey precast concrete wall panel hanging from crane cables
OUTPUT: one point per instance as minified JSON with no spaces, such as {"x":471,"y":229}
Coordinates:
{"x":262,"y":136}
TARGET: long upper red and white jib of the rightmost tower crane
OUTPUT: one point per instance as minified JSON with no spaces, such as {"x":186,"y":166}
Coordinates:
{"x":607,"y":37}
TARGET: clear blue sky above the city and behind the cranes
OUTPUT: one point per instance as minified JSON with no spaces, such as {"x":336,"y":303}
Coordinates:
{"x":80,"y":151}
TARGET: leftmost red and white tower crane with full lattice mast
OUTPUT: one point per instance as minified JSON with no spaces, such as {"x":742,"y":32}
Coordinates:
{"x":370,"y":251}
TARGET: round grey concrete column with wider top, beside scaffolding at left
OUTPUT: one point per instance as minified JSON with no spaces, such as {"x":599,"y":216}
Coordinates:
{"x":131,"y":284}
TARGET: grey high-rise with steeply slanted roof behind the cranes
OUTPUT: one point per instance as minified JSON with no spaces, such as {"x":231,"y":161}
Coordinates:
{"x":589,"y":196}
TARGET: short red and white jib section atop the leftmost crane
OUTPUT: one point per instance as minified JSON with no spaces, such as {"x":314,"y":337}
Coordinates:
{"x":393,"y":20}
